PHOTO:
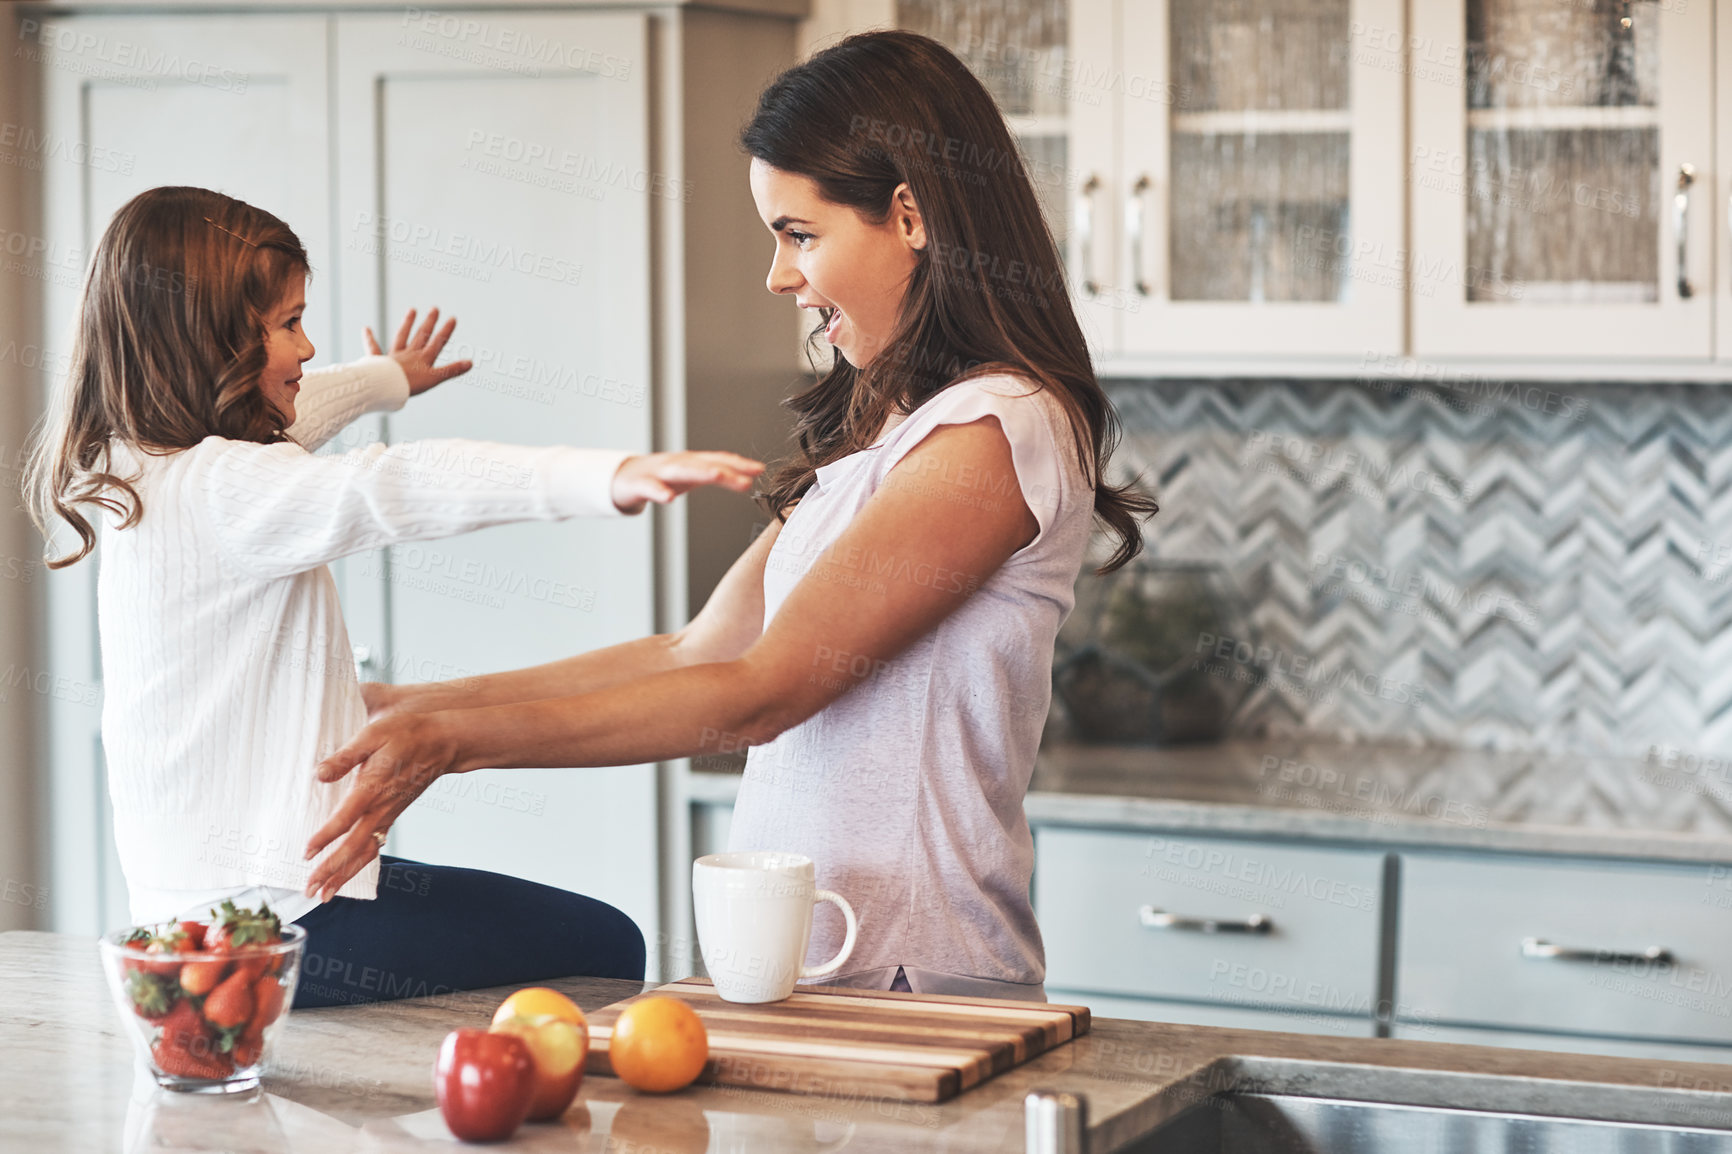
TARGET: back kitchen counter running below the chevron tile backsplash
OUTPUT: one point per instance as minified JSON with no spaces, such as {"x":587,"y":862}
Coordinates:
{"x":1665,"y":808}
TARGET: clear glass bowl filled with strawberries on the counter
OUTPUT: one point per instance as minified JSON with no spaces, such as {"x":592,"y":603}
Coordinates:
{"x":249,"y":994}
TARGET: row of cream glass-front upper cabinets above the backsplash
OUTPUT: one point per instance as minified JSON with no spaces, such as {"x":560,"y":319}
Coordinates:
{"x":1343,"y":186}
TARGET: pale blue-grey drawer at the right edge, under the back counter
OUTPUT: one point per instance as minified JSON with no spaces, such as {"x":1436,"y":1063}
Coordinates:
{"x":1464,"y":924}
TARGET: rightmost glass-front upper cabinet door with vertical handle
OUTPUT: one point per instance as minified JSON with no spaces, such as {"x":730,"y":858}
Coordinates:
{"x":1561,"y":178}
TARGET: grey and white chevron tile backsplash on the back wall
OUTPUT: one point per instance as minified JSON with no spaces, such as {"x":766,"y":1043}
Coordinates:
{"x":1542,"y":567}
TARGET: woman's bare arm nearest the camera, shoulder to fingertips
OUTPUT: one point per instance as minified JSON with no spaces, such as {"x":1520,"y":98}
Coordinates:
{"x":908,"y":559}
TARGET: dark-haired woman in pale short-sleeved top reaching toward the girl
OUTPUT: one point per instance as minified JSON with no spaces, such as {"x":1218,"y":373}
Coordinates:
{"x":886,"y":647}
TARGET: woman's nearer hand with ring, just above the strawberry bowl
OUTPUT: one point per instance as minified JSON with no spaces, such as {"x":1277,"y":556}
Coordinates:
{"x":397,"y":756}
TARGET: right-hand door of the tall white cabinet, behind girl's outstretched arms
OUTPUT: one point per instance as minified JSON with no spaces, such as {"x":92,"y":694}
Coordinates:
{"x":501,"y":172}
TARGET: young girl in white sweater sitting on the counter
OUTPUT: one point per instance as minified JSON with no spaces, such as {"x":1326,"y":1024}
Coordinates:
{"x":190,"y":425}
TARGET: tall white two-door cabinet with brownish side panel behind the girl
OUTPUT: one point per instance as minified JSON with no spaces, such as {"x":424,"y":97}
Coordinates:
{"x":564,"y":181}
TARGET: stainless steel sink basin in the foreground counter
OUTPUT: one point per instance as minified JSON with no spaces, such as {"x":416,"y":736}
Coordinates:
{"x":1276,"y":1124}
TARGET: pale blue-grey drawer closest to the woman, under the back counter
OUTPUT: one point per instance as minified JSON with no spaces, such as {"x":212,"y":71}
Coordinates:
{"x":1321,"y":905}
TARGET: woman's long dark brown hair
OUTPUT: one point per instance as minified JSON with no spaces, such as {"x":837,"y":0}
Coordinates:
{"x":988,"y":294}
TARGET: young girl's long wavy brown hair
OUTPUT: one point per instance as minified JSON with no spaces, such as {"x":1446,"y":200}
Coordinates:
{"x":169,"y":351}
